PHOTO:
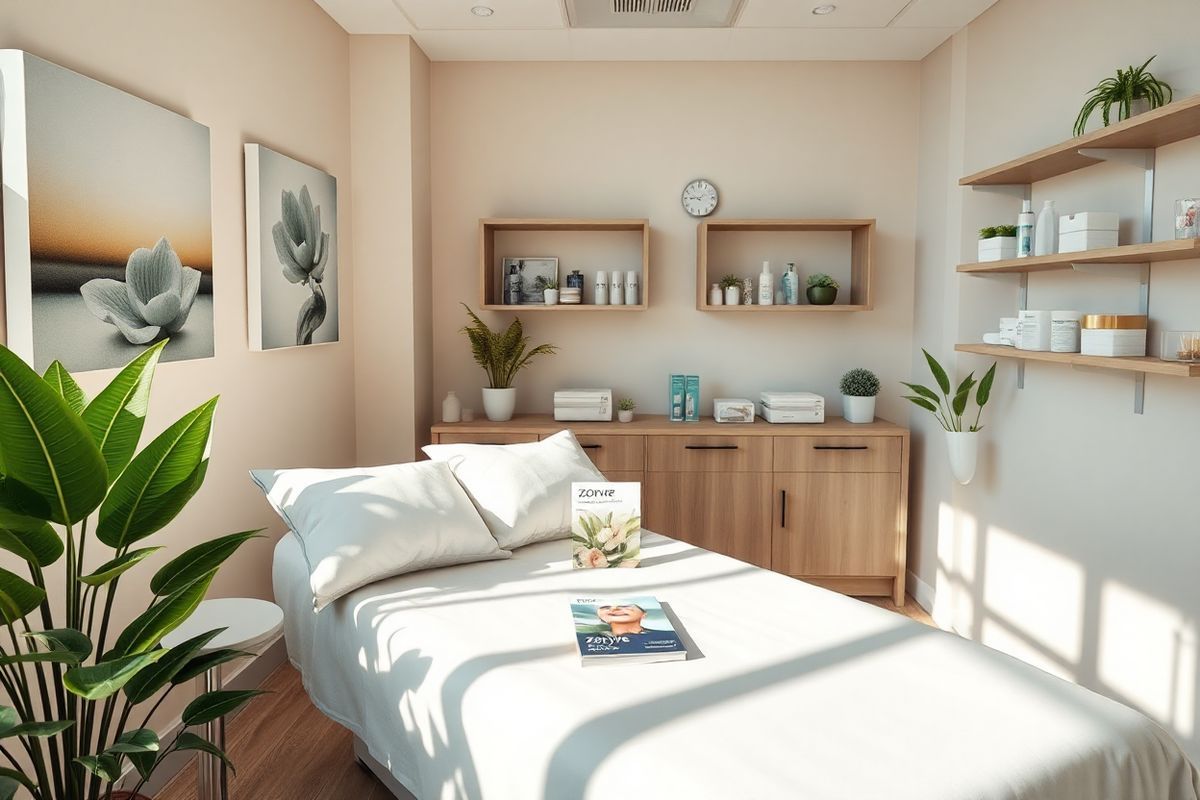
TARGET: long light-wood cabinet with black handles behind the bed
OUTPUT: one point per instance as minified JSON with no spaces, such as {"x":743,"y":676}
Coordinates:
{"x":823,"y":503}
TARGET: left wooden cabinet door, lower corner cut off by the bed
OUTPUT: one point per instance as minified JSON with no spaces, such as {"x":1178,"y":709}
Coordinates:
{"x":727,"y":514}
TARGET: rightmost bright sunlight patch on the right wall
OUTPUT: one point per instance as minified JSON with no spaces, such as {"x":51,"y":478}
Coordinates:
{"x":1148,"y":655}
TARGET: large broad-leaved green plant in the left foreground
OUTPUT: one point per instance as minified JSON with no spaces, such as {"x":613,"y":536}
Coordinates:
{"x":77,"y":496}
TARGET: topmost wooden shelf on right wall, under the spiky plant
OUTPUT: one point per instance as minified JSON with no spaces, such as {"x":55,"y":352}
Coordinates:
{"x":1172,"y":123}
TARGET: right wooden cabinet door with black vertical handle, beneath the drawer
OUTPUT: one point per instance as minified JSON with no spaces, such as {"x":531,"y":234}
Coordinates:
{"x":836,"y":524}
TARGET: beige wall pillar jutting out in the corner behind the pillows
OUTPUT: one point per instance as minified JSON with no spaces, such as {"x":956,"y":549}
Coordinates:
{"x":391,"y":142}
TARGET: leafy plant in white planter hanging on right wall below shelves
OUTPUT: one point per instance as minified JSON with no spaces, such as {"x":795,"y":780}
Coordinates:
{"x":950,"y":411}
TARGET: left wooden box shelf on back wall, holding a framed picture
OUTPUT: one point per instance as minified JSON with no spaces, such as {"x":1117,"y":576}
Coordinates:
{"x":490,"y":268}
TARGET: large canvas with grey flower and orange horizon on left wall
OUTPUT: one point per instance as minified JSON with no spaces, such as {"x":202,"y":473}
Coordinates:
{"x":107,"y":221}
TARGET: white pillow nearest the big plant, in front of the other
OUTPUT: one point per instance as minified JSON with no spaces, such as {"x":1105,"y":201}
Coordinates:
{"x":364,"y":525}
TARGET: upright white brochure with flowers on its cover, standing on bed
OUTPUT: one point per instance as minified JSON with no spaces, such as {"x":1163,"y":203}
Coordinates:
{"x":607,"y":525}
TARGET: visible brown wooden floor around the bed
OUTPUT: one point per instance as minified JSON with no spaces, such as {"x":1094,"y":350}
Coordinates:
{"x":287,"y":750}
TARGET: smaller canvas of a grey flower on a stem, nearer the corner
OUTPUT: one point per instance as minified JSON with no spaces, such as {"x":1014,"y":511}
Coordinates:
{"x":292,"y":251}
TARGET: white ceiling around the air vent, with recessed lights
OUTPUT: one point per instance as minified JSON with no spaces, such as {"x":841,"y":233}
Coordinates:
{"x":776,"y":31}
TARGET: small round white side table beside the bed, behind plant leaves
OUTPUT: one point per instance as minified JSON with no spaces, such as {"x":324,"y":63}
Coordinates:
{"x":251,"y":625}
